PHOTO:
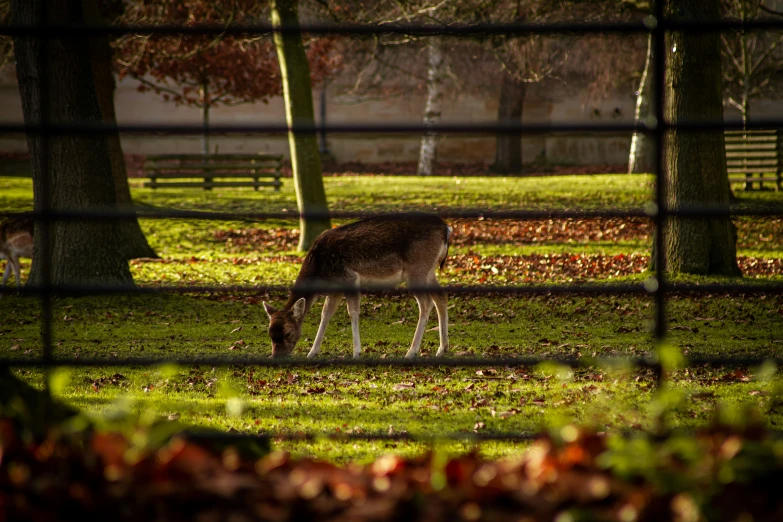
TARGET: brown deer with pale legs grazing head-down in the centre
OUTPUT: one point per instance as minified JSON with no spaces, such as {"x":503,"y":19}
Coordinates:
{"x":376,"y":251}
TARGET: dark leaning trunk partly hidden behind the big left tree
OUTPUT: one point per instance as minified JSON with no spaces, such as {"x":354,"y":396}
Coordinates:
{"x":134,"y":244}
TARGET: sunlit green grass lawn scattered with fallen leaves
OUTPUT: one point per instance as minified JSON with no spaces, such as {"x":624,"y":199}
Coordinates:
{"x":420,"y":401}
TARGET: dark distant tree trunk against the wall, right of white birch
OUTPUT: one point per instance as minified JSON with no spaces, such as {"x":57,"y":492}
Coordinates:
{"x":508,"y":153}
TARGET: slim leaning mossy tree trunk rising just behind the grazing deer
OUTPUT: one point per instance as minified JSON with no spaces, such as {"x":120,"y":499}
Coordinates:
{"x":298,"y":97}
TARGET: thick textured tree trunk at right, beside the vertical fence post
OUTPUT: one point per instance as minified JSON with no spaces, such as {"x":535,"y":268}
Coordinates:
{"x":695,"y":162}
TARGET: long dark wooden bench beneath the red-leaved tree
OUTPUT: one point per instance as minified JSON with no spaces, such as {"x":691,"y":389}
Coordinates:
{"x":209,"y":168}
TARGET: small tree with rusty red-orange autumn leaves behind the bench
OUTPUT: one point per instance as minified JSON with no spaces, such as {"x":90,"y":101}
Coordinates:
{"x":206,"y":71}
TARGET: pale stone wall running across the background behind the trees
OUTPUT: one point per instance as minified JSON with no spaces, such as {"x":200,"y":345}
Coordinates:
{"x":580,"y":149}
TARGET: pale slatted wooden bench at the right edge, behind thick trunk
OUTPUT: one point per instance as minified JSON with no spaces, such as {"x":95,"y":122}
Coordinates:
{"x":755,"y":157}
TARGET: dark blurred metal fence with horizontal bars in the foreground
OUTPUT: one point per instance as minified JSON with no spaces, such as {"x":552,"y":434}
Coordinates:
{"x":657,"y":286}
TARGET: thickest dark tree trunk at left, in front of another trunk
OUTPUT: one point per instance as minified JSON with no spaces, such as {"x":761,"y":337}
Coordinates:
{"x":70,"y":171}
